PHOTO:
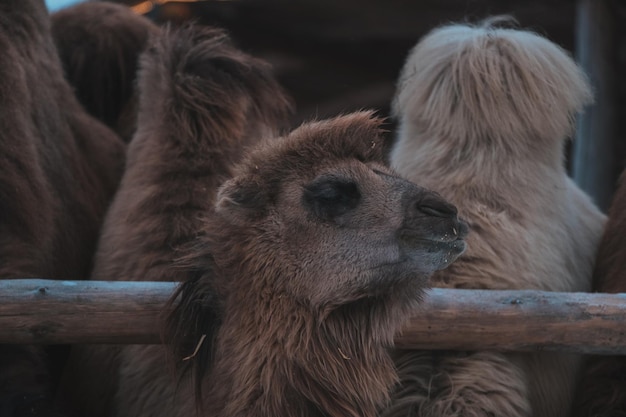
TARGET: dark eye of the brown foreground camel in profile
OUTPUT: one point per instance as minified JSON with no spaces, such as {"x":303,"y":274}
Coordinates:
{"x":329,"y":196}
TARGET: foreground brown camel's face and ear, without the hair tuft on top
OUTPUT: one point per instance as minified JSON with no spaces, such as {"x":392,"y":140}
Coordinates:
{"x":354,"y":229}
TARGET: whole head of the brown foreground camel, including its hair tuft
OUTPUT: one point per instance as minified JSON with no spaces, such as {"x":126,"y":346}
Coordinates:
{"x":327,"y":222}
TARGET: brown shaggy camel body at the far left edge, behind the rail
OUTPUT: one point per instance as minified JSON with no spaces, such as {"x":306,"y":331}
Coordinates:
{"x":58,"y":171}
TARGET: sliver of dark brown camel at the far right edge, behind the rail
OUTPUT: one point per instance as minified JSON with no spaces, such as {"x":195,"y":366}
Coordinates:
{"x":603,"y":389}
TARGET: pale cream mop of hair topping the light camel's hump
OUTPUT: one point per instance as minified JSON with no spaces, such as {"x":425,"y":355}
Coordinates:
{"x":489,"y":80}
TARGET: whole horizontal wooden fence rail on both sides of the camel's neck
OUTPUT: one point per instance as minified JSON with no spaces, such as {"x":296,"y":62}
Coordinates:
{"x":51,"y":312}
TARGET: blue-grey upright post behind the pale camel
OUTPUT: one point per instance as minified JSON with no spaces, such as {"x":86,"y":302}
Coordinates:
{"x":594,"y":165}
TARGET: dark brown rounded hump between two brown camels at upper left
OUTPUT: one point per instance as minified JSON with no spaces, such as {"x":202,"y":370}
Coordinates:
{"x":99,"y":44}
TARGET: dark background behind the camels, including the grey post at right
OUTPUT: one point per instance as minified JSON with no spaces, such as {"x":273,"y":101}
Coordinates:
{"x":336,"y":56}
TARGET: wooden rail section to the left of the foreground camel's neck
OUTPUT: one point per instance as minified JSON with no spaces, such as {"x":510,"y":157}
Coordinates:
{"x":43,"y":311}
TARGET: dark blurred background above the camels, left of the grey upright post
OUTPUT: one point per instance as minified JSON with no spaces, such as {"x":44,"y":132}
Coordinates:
{"x":342,"y":55}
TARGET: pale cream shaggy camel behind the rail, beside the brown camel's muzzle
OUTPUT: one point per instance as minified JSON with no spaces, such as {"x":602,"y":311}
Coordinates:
{"x":483,"y":115}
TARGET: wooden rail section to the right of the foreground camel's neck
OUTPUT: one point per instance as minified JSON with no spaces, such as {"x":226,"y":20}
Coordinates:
{"x":519,"y":321}
